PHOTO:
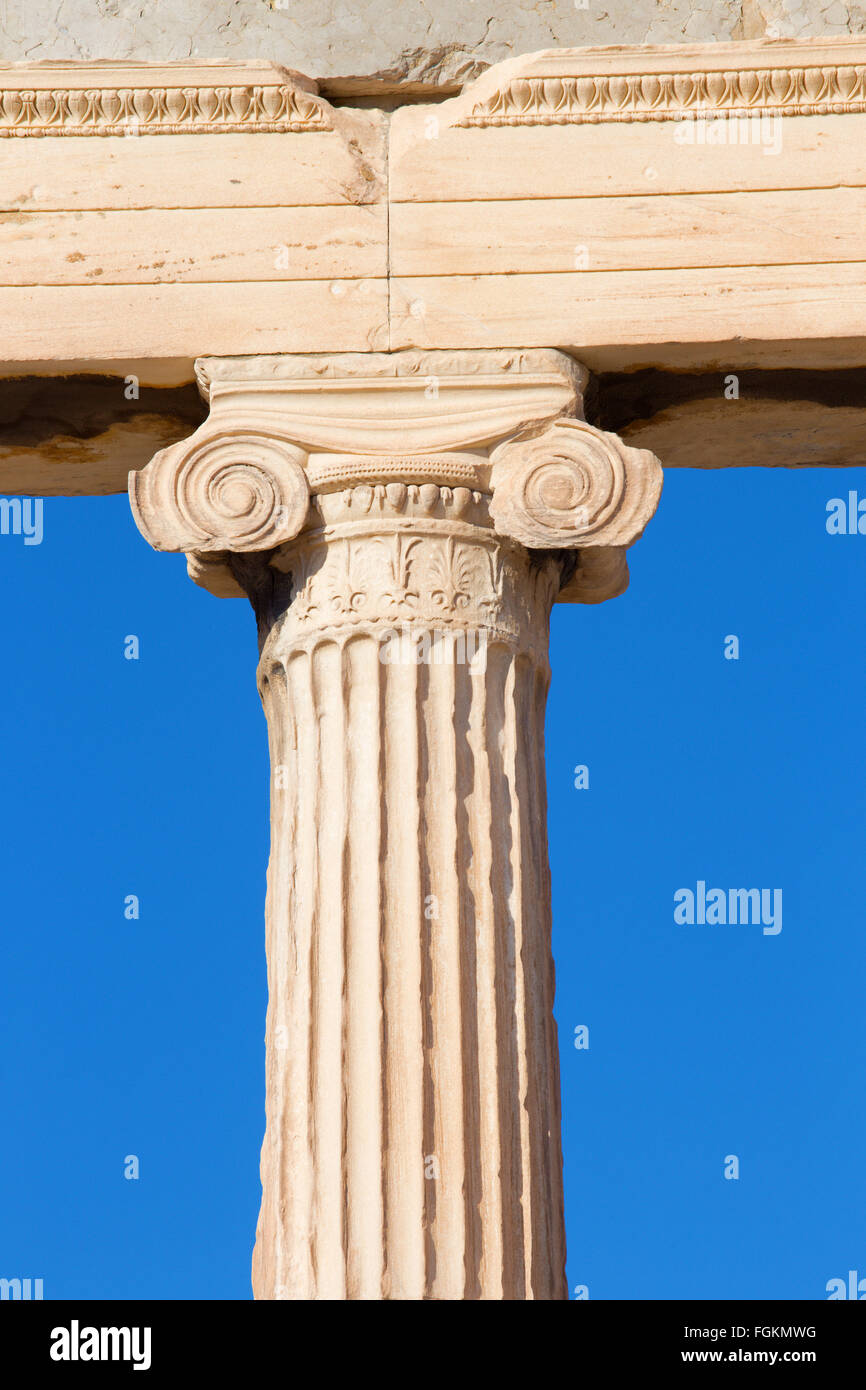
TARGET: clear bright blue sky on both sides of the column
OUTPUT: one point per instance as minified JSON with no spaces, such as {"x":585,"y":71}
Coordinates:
{"x":151,"y":778}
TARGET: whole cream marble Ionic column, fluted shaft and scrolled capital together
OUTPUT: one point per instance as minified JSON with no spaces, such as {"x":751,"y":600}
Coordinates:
{"x":414,"y":1132}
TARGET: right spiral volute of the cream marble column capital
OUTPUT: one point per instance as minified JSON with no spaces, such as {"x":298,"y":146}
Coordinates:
{"x":573,"y":486}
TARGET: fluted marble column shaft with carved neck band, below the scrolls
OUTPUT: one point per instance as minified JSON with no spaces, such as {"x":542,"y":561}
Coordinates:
{"x":412,"y":1146}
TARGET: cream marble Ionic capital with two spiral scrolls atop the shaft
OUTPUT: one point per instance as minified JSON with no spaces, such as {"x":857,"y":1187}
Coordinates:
{"x":286,"y":433}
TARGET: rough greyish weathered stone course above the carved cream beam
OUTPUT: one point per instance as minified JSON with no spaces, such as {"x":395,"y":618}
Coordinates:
{"x":395,"y":41}
